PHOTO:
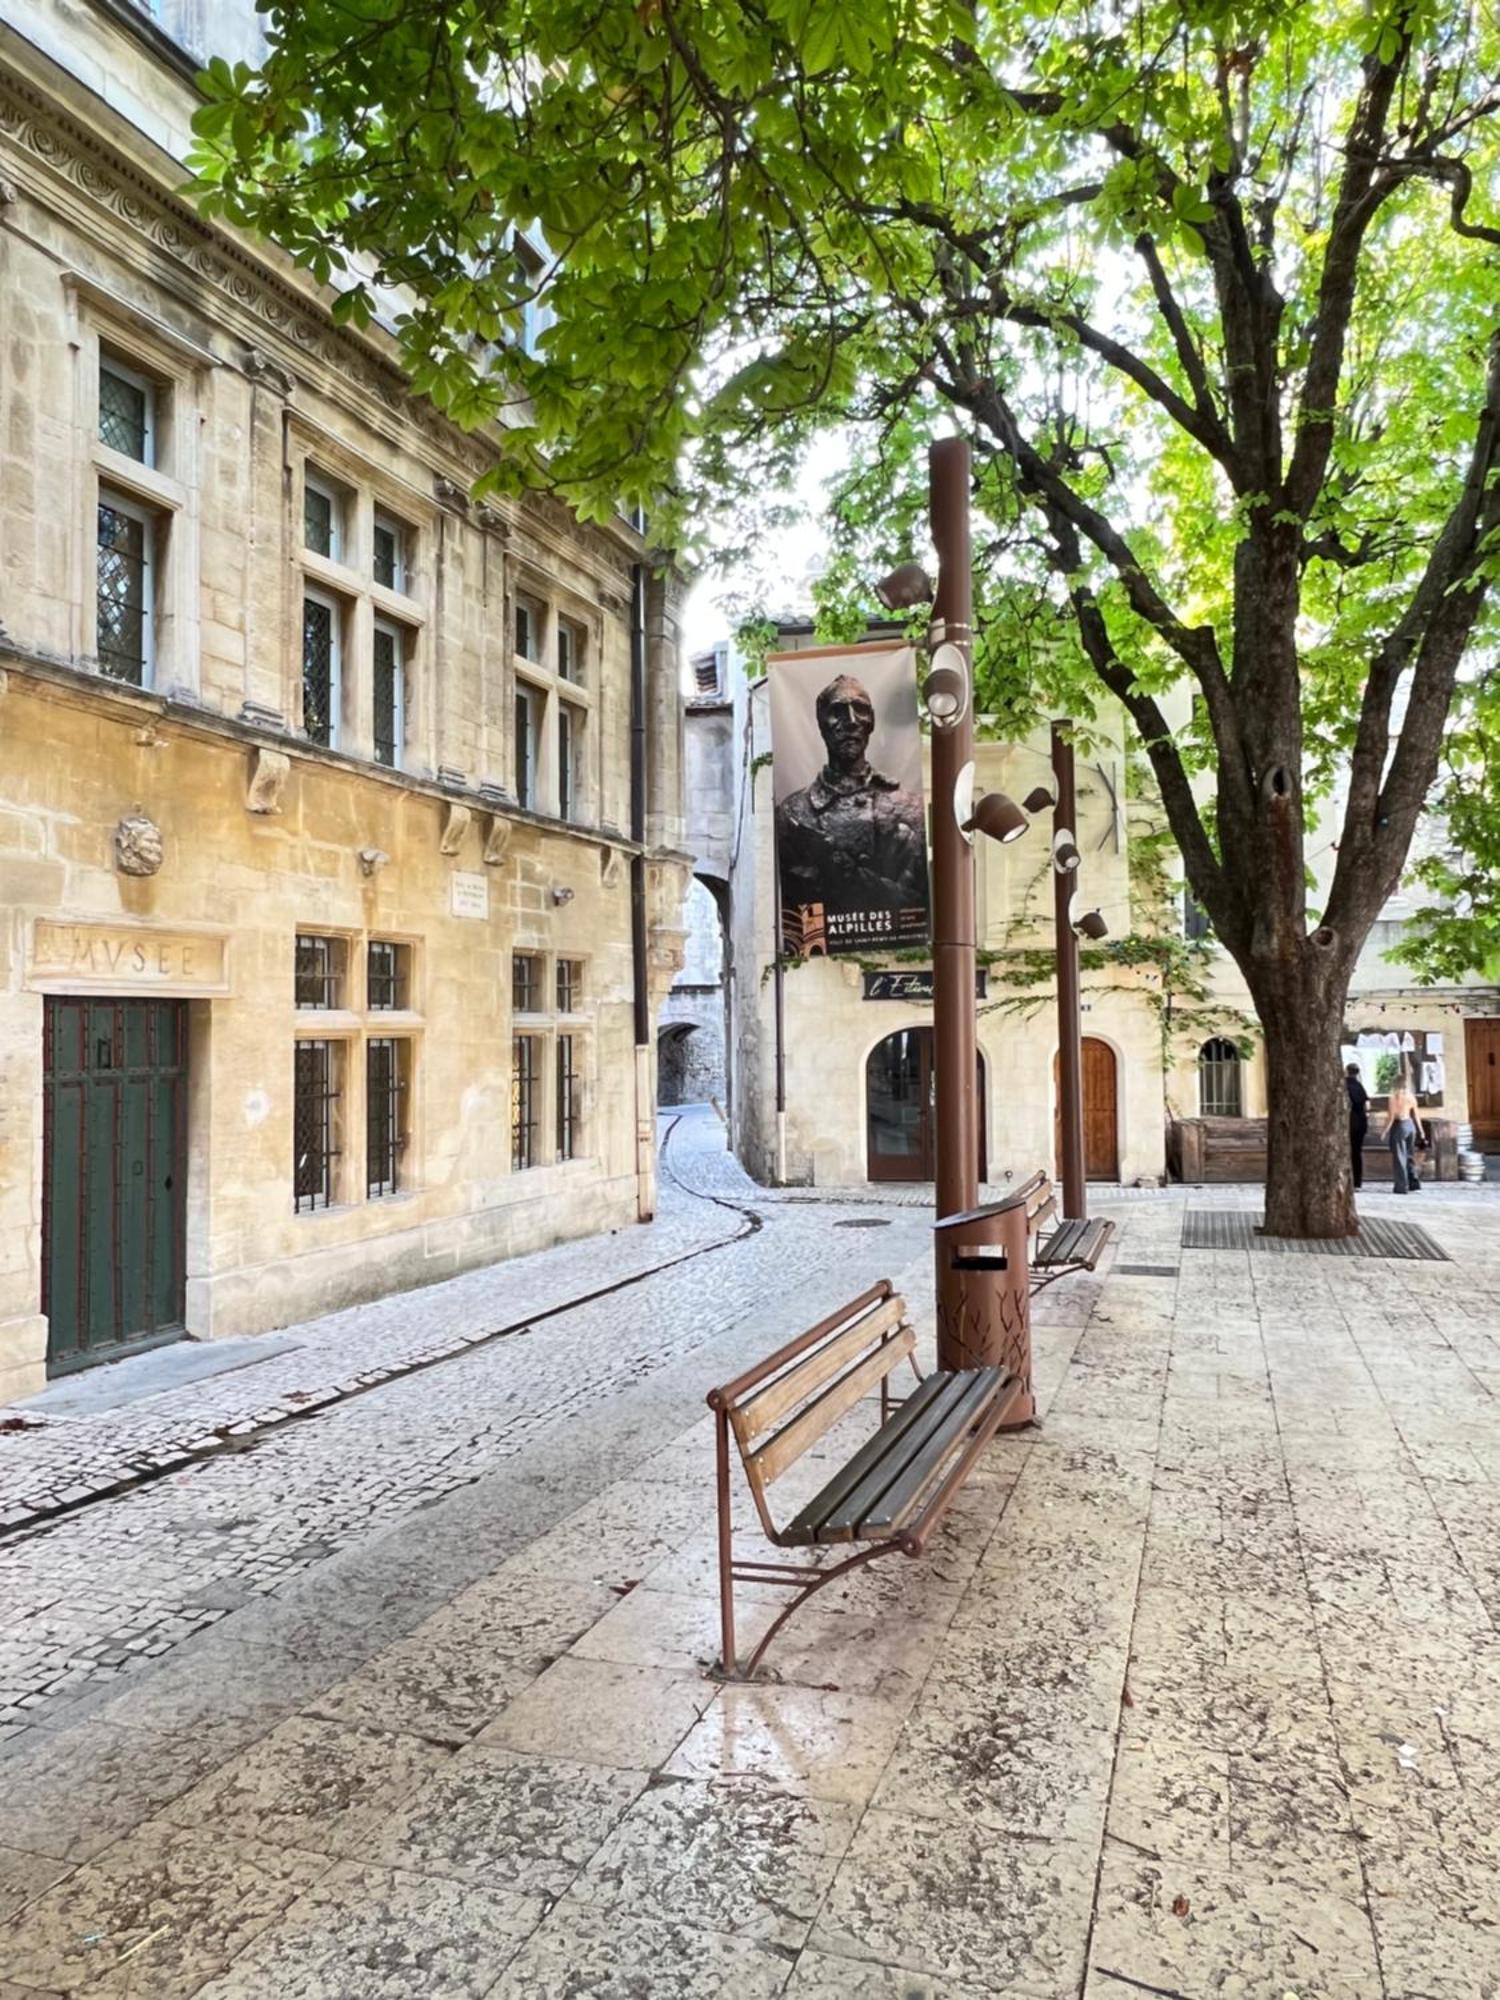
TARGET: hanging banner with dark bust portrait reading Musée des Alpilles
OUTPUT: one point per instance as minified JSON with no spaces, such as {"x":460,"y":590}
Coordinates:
{"x":847,"y":777}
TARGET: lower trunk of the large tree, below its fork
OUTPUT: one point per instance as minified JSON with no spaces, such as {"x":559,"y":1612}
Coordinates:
{"x":1309,"y":1175}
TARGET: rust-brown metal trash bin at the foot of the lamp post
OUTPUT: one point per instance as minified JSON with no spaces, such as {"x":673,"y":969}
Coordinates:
{"x":985,"y":1297}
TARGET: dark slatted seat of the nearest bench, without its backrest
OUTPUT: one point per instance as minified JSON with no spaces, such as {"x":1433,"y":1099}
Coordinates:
{"x":901,"y":1457}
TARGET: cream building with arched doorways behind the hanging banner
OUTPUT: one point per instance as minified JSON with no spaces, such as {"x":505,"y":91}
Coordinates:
{"x":831,"y":1059}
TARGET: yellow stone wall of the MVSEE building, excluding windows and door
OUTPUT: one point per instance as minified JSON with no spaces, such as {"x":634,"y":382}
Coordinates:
{"x":267,"y":835}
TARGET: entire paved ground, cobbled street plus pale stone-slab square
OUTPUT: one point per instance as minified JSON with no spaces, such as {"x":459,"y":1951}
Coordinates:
{"x":1197,"y":1693}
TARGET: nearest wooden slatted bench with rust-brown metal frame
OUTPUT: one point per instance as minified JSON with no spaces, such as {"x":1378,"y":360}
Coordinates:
{"x":891,"y":1493}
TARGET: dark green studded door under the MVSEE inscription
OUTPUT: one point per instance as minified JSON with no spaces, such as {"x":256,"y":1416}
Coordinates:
{"x":115,"y":1177}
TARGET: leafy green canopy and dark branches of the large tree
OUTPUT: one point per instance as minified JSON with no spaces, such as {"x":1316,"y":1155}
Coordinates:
{"x":1211,"y":285}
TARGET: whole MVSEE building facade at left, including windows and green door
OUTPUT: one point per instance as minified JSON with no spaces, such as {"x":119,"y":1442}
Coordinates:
{"x":333,"y":905}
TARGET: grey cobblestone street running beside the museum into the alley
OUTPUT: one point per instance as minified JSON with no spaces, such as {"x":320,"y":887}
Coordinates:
{"x":371,"y":1415}
